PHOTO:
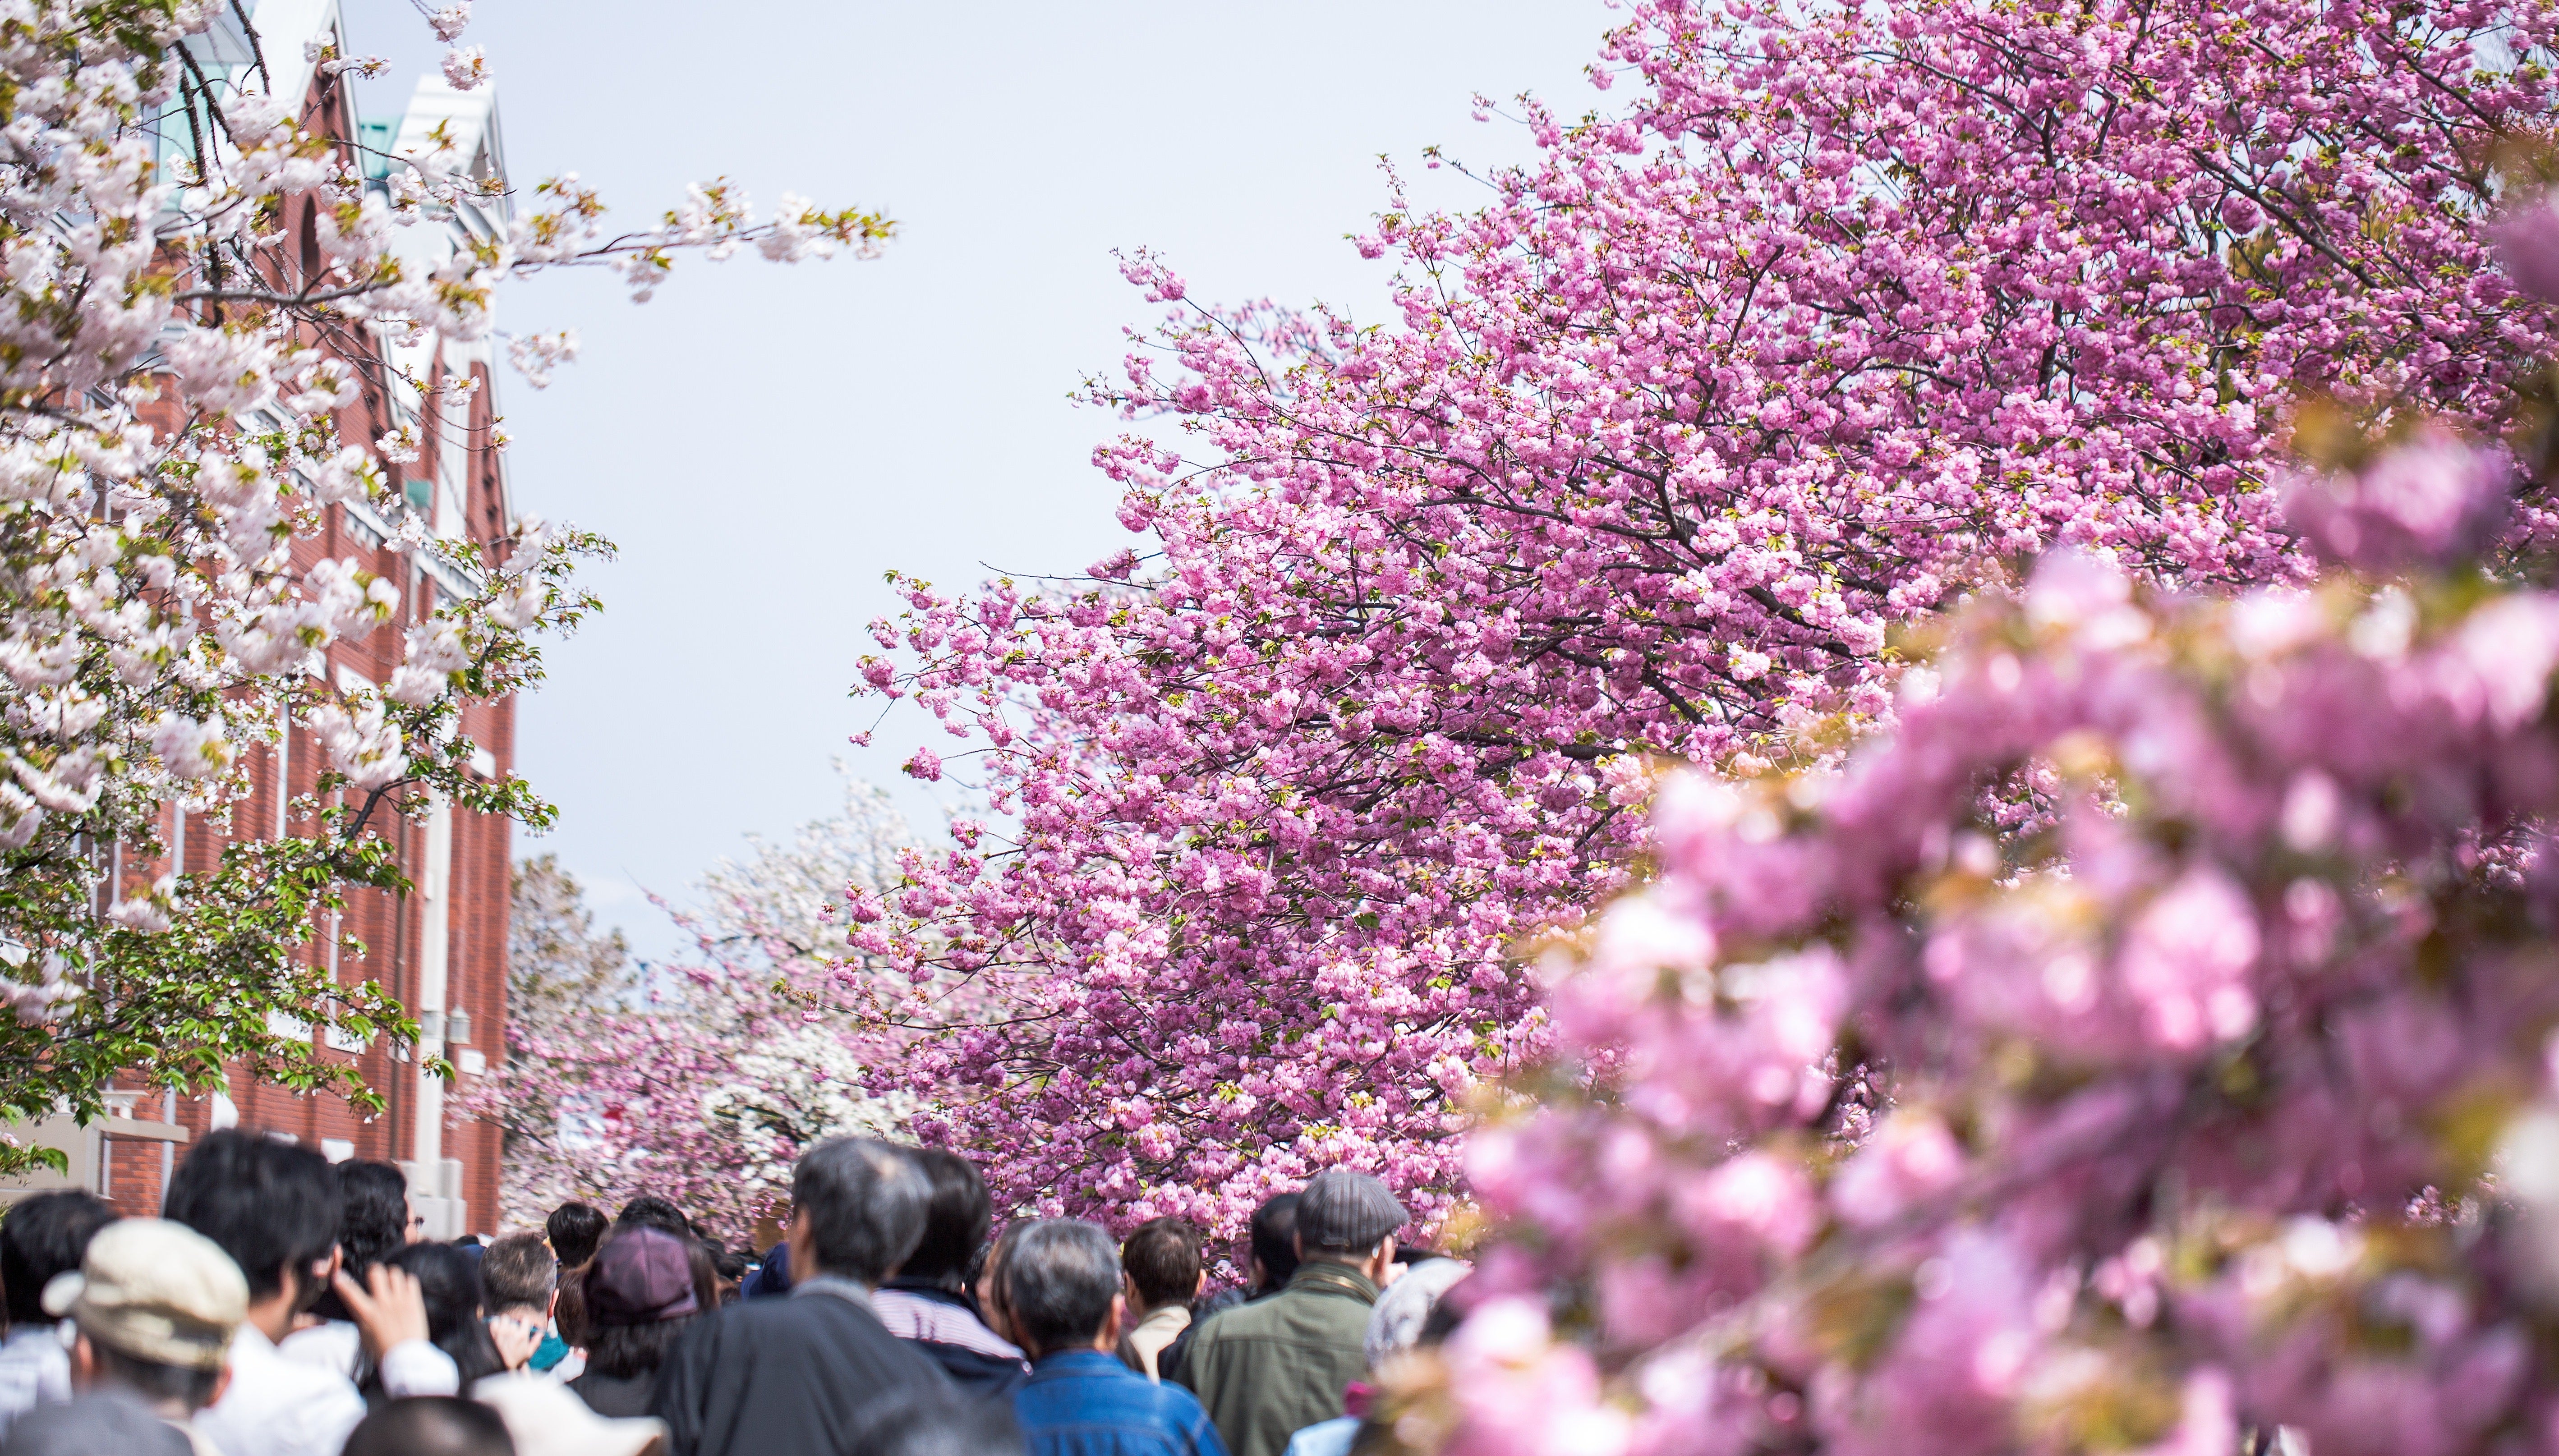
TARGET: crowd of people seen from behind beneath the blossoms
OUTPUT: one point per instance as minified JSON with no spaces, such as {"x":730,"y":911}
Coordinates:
{"x":288,"y":1306}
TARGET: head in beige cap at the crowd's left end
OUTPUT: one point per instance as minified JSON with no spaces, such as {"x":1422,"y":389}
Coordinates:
{"x":155,"y":1309}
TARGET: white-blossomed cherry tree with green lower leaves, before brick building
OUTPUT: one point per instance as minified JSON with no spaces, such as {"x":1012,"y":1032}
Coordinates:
{"x":193,"y":293}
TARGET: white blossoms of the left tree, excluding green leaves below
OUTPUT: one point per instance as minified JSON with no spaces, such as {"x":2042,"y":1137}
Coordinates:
{"x":193,"y":301}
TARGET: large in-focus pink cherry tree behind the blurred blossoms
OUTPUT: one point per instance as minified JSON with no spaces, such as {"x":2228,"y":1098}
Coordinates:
{"x":1846,"y":313}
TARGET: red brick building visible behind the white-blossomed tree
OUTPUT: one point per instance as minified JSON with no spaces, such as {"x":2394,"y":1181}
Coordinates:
{"x":439,"y":948}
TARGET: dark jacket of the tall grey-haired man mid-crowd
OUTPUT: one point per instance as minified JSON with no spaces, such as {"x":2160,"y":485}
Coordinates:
{"x":787,"y":1378}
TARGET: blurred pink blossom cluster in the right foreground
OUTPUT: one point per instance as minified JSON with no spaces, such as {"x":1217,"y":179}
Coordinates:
{"x":2220,"y":1099}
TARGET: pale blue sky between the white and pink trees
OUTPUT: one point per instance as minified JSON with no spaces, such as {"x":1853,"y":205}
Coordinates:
{"x":764,"y":441}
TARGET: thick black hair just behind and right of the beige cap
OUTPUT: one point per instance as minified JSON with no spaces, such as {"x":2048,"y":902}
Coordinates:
{"x":270,"y":1204}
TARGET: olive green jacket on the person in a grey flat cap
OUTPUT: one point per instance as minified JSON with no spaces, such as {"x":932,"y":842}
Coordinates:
{"x":1271,"y":1368}
